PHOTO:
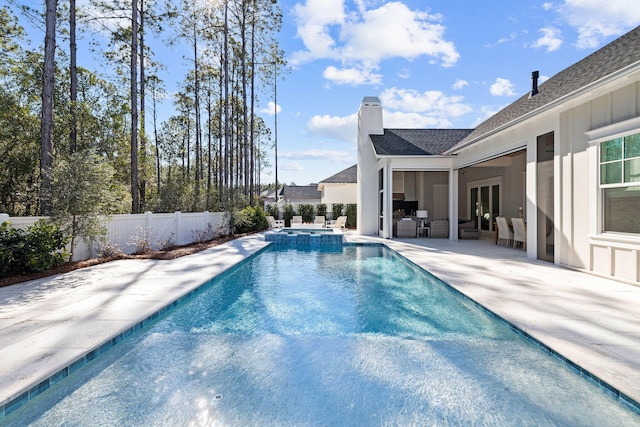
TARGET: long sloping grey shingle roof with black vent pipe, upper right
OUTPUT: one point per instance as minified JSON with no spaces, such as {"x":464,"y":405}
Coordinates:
{"x":611,"y":58}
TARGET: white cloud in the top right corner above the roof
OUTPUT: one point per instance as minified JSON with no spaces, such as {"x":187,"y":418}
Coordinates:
{"x":595,"y":19}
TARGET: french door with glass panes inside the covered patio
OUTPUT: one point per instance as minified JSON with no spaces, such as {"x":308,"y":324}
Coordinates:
{"x":484,"y":203}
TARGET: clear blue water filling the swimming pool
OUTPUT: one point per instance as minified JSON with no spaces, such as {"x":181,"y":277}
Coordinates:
{"x":346,"y":335}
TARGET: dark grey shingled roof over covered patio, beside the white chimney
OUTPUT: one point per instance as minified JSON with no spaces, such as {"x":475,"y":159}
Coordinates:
{"x":417,"y":142}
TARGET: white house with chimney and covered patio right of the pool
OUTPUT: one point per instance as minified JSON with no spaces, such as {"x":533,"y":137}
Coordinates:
{"x":565,"y":156}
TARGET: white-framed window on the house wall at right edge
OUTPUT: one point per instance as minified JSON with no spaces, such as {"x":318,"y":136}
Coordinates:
{"x":620,"y":184}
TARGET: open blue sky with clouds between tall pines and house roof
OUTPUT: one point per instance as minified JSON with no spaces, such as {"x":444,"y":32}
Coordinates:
{"x":433,"y":64}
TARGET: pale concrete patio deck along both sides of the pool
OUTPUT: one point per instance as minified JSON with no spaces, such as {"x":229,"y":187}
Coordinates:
{"x":48,"y":324}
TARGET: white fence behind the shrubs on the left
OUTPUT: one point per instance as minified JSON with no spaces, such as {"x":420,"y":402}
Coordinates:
{"x":125,"y":231}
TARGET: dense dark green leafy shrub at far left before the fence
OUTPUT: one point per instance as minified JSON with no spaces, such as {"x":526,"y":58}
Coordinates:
{"x":38,"y":248}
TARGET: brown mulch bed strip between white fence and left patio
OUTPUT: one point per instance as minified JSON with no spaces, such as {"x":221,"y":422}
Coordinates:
{"x":172,"y":253}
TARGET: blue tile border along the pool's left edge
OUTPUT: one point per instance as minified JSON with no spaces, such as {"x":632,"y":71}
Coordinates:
{"x":16,"y":403}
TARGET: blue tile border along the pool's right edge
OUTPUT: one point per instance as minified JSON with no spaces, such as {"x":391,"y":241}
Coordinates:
{"x":622,"y":397}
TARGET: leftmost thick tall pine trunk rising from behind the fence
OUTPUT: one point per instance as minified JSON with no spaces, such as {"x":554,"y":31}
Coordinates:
{"x":46,"y":129}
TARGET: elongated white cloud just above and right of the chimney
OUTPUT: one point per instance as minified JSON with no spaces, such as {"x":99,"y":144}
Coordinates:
{"x":432,"y":103}
